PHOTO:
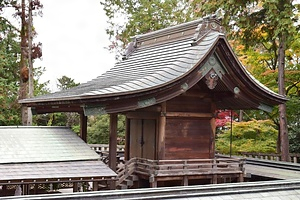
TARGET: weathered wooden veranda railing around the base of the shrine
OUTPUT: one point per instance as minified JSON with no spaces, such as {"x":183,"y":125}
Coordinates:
{"x":172,"y":168}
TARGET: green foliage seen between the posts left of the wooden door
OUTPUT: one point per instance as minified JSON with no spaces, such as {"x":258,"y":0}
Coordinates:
{"x":98,"y":129}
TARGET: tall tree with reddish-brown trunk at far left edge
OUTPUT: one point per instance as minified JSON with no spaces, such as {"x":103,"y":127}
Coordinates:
{"x":22,"y":53}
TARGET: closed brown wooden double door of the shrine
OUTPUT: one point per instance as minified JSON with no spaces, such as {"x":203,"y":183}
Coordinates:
{"x":142,"y":138}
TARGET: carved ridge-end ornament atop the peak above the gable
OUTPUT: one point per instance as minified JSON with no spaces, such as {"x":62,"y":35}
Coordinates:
{"x":207,"y":24}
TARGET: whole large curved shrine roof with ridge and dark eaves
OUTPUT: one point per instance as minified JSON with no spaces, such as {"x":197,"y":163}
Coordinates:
{"x":156,"y":61}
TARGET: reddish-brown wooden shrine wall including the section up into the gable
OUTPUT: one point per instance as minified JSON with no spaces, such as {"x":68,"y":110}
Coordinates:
{"x":188,"y":131}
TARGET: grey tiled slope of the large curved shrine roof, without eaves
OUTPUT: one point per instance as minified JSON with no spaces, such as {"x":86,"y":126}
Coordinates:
{"x":147,"y":67}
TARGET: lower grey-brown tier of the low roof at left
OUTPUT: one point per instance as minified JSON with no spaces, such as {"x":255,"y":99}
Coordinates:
{"x":71,"y":171}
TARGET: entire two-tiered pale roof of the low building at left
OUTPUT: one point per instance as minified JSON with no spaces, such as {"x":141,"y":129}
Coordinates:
{"x":45,"y":154}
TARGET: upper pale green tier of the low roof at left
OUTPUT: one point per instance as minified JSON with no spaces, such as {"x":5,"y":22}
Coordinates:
{"x":42,"y":144}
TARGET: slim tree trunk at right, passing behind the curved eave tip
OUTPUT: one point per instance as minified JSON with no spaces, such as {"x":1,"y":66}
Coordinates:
{"x":284,"y":140}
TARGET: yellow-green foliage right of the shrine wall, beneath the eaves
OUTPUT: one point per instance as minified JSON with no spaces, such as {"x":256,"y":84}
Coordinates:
{"x":252,"y":136}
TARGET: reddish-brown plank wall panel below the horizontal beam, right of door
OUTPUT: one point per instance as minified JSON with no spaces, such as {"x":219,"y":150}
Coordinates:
{"x":187,"y":138}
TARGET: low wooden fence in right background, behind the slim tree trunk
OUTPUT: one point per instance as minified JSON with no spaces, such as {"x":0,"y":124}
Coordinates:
{"x":294,"y":158}
